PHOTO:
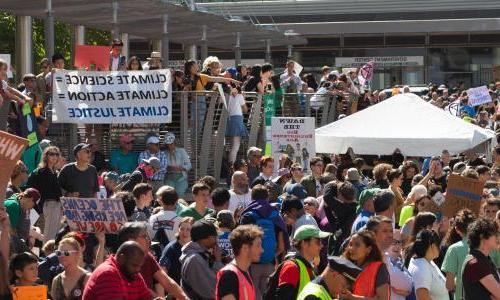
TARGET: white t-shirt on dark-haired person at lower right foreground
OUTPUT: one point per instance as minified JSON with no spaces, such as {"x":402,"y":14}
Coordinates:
{"x":427,"y":275}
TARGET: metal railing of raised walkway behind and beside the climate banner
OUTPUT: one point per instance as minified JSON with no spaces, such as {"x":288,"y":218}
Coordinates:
{"x":199,"y":121}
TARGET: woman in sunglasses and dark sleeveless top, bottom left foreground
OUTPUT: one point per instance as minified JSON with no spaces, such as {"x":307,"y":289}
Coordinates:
{"x":69,"y":284}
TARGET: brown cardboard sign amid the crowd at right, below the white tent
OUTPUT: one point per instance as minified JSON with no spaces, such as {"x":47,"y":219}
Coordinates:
{"x":462,"y":192}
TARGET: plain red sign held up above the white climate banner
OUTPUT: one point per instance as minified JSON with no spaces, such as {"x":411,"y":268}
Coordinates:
{"x":92,"y":58}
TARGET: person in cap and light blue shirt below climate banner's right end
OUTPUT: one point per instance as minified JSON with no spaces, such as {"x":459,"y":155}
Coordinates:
{"x":178,"y":167}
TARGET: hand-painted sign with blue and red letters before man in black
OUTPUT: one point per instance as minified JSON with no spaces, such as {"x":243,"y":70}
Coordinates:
{"x":93,"y":214}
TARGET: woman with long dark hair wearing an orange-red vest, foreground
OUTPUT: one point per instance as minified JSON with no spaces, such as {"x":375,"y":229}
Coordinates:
{"x":373,"y":282}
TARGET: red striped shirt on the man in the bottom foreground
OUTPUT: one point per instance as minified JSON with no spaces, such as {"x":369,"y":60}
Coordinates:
{"x":108,"y":282}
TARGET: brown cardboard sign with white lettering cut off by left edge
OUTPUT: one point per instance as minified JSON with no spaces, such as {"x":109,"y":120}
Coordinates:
{"x":11,"y":149}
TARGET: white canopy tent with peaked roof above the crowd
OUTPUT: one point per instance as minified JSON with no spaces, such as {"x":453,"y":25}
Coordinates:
{"x":404,"y":122}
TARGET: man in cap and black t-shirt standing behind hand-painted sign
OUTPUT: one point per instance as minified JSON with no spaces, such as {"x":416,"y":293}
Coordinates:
{"x":79,"y":179}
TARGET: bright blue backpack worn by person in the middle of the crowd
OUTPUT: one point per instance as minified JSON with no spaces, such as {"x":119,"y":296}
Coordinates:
{"x":269,"y":241}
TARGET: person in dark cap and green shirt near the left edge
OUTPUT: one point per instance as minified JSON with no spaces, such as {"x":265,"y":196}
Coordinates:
{"x":18,"y":207}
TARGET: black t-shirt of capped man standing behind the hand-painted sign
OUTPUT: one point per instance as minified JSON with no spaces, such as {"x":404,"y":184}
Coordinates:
{"x":84,"y":182}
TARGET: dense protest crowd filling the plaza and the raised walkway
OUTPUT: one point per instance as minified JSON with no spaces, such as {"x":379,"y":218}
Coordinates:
{"x":344,"y":226}
